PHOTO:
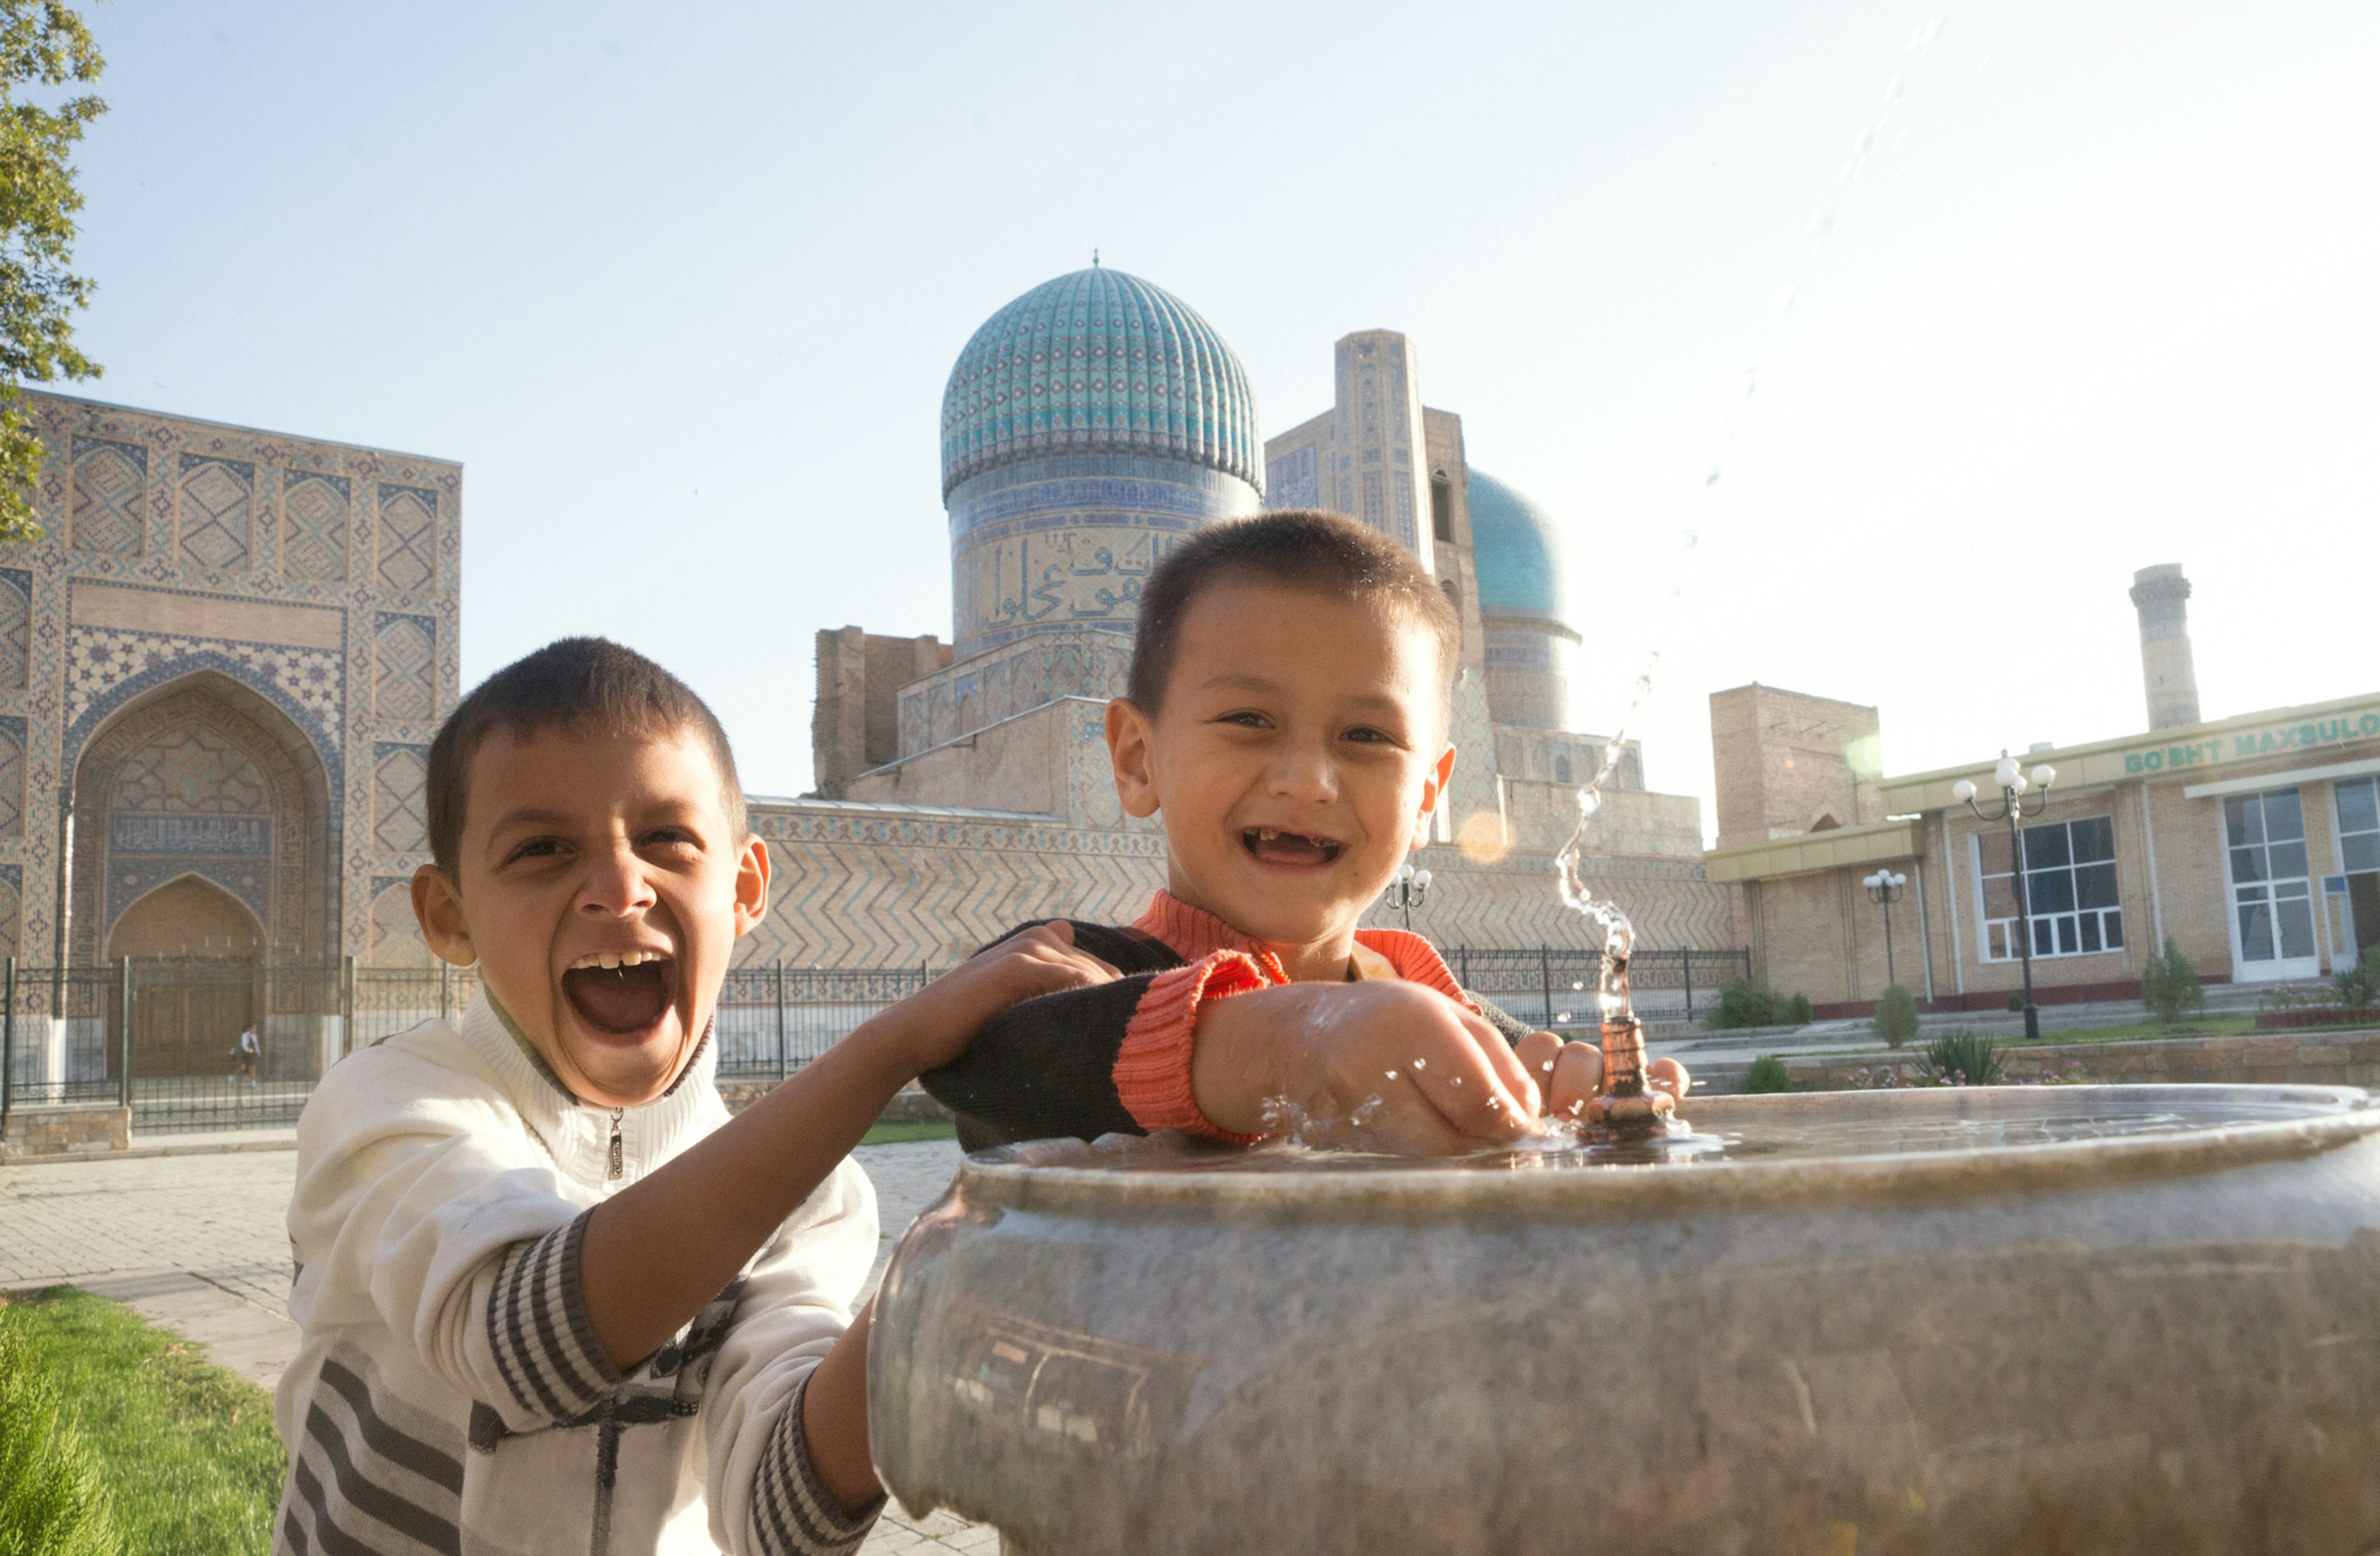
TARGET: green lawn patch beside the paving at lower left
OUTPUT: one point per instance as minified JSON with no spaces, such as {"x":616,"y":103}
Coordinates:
{"x":184,"y":1450}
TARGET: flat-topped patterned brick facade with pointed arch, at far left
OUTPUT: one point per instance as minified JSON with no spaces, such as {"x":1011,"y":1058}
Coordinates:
{"x":220,"y":670}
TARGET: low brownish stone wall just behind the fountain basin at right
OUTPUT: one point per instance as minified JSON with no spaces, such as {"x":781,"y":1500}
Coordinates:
{"x":2257,"y":1060}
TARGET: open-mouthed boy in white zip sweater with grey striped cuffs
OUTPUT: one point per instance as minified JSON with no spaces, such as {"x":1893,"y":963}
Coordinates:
{"x":551,"y":1298}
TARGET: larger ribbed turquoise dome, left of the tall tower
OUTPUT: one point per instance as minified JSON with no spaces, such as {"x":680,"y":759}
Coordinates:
{"x":1098,"y":360}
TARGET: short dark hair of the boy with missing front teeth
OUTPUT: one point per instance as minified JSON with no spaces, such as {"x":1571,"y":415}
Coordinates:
{"x":1301,"y":548}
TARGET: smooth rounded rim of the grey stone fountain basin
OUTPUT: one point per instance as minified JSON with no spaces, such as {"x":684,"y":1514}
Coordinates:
{"x":1429,"y":1191}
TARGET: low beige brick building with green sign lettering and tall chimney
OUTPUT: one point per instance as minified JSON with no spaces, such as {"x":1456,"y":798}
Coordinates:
{"x":2253,"y":843}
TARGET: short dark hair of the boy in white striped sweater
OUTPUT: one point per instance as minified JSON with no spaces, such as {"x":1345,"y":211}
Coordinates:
{"x":572,"y":684}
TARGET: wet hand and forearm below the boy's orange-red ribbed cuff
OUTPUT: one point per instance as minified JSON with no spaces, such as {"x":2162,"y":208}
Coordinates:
{"x":1446,"y":1079}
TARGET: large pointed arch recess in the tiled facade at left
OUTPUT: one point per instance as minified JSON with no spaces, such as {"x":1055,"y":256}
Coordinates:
{"x":203,"y":784}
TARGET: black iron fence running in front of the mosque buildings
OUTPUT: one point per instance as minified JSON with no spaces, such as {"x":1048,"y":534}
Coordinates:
{"x":165,"y":1036}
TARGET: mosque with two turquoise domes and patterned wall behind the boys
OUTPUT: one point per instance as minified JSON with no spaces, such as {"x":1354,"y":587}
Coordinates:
{"x":1086,"y":429}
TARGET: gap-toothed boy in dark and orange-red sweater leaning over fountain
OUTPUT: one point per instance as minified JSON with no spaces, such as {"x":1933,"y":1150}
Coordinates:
{"x":1286,"y":717}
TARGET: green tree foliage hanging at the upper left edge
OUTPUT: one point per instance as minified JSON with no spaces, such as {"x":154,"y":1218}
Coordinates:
{"x":44,"y":44}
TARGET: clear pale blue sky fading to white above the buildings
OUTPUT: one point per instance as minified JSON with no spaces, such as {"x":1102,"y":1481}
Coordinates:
{"x":2024,"y":294}
